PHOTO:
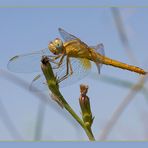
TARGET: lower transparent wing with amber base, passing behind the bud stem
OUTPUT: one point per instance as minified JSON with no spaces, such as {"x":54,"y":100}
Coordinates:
{"x":79,"y":72}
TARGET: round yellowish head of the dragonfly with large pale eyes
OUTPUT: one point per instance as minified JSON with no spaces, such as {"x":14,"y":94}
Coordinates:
{"x":56,"y":46}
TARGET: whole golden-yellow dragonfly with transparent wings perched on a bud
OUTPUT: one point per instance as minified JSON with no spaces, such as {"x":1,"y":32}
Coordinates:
{"x":71,"y":60}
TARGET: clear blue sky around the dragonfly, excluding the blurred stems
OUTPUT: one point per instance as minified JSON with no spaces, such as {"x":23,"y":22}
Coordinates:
{"x":24,"y":30}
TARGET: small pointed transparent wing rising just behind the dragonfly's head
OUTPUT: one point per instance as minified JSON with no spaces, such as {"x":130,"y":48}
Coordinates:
{"x":66,"y":36}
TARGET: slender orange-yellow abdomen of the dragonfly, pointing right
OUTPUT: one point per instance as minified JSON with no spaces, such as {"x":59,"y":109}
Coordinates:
{"x":108,"y":61}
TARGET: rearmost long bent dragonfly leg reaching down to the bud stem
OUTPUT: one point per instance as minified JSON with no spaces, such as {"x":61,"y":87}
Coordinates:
{"x":69,"y":67}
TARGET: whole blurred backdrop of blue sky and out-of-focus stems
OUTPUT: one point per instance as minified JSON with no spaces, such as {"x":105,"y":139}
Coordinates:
{"x":26,"y":115}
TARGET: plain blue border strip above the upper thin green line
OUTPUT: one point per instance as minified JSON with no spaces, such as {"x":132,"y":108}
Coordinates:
{"x":76,"y":2}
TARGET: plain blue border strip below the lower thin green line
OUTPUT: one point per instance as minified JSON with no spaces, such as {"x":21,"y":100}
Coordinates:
{"x":74,"y":144}
